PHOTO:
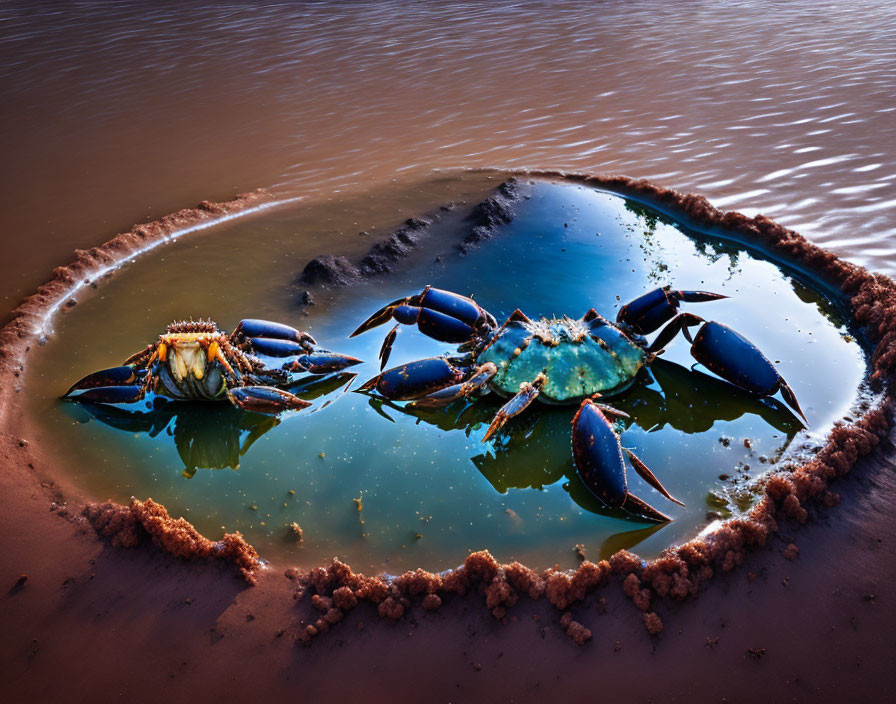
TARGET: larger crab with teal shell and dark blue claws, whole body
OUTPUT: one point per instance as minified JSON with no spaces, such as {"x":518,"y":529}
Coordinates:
{"x":564,"y":361}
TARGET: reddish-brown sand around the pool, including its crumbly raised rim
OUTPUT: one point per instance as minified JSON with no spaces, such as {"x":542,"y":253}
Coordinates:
{"x":92,"y":619}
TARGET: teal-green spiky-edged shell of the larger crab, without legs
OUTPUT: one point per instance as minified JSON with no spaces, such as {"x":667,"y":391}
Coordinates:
{"x":578,"y":359}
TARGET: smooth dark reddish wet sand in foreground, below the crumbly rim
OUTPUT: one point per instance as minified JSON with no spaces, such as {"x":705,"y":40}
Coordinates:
{"x":86,"y":625}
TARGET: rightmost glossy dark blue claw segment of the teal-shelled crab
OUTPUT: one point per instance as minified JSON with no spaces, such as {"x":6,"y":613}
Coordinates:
{"x":734,"y":358}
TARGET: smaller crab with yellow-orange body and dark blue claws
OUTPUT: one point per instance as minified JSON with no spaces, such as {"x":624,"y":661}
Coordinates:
{"x":194,"y":360}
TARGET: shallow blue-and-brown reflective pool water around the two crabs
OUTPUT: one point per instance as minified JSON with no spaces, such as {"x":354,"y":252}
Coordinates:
{"x":387,"y":488}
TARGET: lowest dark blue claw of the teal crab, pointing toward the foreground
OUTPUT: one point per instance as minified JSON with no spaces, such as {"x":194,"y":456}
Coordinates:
{"x":600,"y":463}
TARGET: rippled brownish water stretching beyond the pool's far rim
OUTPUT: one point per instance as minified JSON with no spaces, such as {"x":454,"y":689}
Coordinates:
{"x":114,"y":112}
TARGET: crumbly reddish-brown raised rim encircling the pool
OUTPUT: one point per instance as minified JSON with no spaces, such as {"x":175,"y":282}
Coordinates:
{"x":676,"y":574}
